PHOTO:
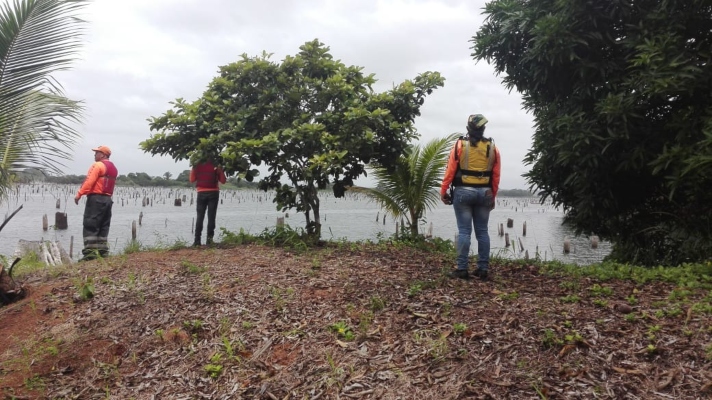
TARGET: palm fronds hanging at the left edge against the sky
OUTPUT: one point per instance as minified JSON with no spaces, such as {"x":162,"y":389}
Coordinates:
{"x":37,"y":38}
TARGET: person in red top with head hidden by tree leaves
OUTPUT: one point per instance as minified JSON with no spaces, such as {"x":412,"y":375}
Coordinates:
{"x":207,"y":178}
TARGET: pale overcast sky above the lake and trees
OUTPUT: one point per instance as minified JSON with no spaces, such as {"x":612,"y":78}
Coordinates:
{"x":141,"y":54}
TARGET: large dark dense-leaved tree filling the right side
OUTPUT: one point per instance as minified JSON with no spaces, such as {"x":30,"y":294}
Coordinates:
{"x":621,"y":94}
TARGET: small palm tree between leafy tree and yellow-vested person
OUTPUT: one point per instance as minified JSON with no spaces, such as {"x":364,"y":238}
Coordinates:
{"x":412,"y":187}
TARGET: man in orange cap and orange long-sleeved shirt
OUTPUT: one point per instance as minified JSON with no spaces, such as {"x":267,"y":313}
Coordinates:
{"x":98,"y":187}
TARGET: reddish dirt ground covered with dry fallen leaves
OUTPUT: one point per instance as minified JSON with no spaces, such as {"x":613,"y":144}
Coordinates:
{"x":347,"y":322}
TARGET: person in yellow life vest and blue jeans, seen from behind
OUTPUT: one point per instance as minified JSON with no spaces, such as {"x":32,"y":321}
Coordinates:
{"x":473,"y":171}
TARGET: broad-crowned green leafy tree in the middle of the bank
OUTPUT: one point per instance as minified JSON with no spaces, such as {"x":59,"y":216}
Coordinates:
{"x":311,"y":120}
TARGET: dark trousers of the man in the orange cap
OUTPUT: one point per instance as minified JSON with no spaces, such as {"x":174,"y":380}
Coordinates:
{"x":97,"y":220}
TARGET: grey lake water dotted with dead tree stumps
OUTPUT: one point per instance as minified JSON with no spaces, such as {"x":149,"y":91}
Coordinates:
{"x":352,"y":218}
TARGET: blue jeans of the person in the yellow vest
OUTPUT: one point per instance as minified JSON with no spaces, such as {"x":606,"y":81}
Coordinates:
{"x":472,"y":207}
